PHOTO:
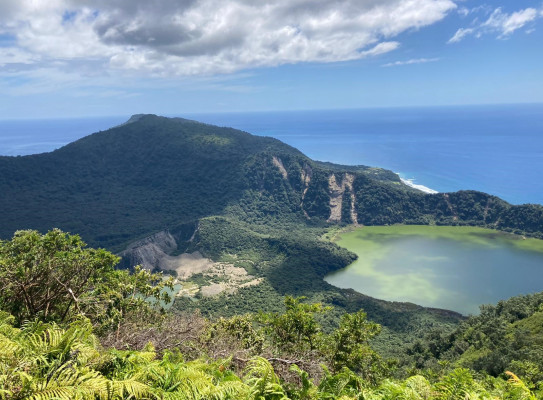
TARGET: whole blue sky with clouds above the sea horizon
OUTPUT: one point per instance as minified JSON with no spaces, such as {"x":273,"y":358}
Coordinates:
{"x":75,"y":58}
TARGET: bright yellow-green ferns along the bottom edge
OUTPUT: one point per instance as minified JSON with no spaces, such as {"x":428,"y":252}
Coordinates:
{"x":43,"y":361}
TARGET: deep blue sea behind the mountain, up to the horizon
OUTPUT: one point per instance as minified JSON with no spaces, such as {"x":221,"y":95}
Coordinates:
{"x":493,"y":149}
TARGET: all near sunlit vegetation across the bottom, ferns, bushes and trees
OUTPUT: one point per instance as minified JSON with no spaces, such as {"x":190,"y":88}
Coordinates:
{"x":148,"y":355}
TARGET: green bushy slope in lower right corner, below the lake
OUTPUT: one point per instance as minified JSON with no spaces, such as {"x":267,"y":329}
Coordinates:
{"x":505,"y":336}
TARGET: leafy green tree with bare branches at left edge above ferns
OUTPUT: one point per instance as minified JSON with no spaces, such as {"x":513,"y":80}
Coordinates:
{"x":55,"y":277}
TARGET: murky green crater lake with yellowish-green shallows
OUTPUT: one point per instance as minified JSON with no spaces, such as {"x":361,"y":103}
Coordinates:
{"x":455,"y":268}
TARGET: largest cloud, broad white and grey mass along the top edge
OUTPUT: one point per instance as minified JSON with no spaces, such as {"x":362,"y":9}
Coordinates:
{"x":195,"y":37}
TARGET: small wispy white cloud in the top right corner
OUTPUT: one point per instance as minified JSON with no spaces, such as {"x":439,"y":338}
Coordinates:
{"x":499,"y":22}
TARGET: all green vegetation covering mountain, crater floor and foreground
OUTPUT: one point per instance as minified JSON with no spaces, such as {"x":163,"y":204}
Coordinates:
{"x":220,"y":191}
